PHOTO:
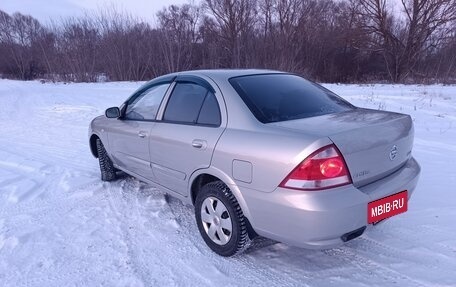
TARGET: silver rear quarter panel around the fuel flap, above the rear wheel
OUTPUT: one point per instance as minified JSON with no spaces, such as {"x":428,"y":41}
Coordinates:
{"x":273,"y":154}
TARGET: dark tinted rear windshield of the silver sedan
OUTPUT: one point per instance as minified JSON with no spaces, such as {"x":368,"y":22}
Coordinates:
{"x":283,"y":97}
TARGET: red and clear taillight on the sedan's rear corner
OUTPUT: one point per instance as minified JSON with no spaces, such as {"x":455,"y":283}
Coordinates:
{"x":323,"y":169}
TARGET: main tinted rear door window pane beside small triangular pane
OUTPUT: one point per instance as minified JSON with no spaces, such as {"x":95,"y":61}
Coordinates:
{"x":185,"y":103}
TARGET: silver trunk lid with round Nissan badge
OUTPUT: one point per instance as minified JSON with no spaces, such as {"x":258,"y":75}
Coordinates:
{"x":373,"y":143}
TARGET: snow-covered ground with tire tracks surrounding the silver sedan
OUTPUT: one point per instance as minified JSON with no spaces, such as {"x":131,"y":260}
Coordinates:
{"x":61,"y":226}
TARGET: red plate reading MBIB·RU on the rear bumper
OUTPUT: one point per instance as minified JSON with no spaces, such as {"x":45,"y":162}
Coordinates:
{"x":386,"y":207}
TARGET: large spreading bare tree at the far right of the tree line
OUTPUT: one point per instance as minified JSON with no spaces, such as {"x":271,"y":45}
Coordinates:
{"x":403,"y":45}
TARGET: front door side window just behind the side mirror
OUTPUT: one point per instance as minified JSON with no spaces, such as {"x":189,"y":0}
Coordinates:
{"x":145,"y":106}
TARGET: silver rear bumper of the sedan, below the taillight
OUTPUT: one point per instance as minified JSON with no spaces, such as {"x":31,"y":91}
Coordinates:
{"x":322,"y":219}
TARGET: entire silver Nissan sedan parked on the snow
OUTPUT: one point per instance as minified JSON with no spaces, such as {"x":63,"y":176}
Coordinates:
{"x":261,"y":153}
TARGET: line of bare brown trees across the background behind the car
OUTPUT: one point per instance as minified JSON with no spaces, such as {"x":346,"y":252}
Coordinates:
{"x":325,"y":40}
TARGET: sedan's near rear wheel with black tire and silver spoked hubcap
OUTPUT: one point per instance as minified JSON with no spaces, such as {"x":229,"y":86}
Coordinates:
{"x":220,"y":219}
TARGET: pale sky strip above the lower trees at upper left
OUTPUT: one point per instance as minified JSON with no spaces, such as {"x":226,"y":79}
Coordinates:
{"x":44,"y":10}
